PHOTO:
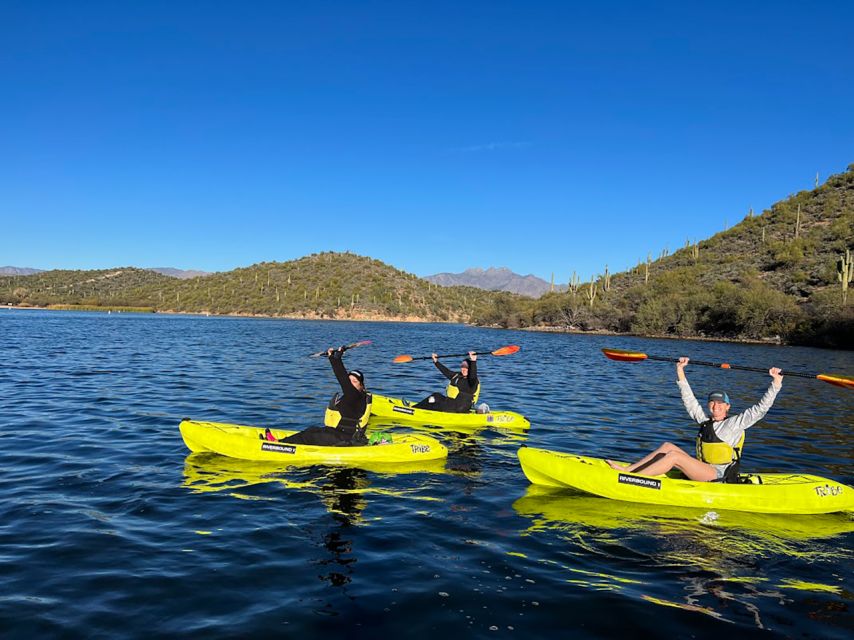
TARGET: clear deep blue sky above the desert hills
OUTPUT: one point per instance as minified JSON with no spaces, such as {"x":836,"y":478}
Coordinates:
{"x":435,"y":136}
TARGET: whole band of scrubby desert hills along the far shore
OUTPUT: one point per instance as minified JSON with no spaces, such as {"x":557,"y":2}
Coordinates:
{"x":777,"y":277}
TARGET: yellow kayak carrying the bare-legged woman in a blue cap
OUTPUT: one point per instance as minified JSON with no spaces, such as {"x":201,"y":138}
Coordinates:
{"x":791,"y":493}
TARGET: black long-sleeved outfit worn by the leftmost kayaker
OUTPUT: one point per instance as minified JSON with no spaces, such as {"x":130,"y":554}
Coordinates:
{"x":351,"y":404}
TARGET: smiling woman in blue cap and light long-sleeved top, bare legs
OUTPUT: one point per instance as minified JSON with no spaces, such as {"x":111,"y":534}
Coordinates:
{"x":719,"y":441}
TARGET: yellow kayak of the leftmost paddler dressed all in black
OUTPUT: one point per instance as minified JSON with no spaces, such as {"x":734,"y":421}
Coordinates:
{"x":245,"y":442}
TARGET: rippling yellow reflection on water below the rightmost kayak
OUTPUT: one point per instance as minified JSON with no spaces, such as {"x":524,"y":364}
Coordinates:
{"x":718,"y":557}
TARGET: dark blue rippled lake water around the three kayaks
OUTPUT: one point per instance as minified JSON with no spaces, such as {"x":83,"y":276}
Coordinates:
{"x":108,"y":528}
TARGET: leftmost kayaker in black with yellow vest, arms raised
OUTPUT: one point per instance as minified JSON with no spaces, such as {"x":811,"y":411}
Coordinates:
{"x":352,"y":405}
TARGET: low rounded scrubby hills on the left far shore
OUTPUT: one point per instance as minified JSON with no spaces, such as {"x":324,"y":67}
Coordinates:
{"x":327,"y":285}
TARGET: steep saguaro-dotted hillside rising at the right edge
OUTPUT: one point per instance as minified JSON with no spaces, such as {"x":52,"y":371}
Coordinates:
{"x":775,"y":275}
